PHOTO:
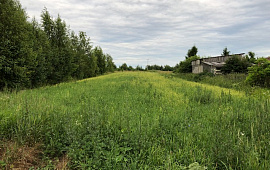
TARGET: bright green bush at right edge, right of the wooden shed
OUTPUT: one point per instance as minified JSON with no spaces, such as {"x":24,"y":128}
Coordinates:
{"x":259,"y":74}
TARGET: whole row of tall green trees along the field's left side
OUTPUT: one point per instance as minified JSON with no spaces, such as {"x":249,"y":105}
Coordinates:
{"x":34,"y":54}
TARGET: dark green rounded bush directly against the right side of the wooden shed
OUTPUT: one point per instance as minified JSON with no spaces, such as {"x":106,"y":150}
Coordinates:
{"x":236,"y":64}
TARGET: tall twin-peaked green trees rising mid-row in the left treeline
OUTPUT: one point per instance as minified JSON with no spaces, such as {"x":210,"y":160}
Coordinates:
{"x":63,"y":59}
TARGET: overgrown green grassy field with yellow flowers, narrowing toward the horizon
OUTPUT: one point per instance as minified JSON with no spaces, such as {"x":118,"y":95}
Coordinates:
{"x":135,"y":120}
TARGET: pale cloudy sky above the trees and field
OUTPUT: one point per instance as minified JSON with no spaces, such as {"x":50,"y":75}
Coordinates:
{"x":160,"y":32}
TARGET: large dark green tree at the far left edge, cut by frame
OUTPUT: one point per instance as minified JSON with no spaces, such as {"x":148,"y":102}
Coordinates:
{"x":17,"y":58}
